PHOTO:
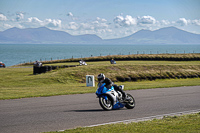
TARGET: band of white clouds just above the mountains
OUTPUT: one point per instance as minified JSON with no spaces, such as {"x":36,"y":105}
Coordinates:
{"x":119,"y":26}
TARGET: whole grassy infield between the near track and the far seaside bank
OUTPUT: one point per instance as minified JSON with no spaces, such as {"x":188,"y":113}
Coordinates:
{"x":20,"y":82}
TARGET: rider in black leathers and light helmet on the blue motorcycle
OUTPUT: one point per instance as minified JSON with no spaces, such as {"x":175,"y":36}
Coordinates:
{"x":108,"y":84}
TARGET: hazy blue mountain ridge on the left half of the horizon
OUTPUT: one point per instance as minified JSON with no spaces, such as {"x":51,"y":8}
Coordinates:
{"x":44,"y":35}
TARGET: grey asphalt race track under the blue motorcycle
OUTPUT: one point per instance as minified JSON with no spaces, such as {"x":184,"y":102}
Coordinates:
{"x":31,"y":115}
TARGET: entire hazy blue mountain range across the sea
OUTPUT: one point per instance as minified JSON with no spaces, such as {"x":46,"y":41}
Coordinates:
{"x":43,"y":35}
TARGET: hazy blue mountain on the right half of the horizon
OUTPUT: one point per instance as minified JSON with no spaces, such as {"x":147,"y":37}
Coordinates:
{"x":169,"y":35}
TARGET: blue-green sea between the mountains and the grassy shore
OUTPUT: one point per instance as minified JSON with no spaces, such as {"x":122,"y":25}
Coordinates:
{"x":13,"y":54}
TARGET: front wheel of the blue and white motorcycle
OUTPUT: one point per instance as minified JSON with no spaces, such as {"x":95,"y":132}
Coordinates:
{"x":106,"y":104}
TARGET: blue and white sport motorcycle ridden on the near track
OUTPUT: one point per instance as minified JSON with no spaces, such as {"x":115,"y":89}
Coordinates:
{"x":110,"y":99}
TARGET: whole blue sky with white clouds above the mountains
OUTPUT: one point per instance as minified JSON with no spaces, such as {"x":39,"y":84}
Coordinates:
{"x":105,"y":18}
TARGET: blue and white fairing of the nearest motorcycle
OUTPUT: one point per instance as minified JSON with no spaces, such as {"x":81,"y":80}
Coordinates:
{"x":102,"y":91}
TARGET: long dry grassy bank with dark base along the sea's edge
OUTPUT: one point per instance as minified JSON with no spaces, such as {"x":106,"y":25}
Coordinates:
{"x":135,"y":57}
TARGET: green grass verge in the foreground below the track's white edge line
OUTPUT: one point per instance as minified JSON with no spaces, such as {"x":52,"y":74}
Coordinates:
{"x":176,"y":124}
